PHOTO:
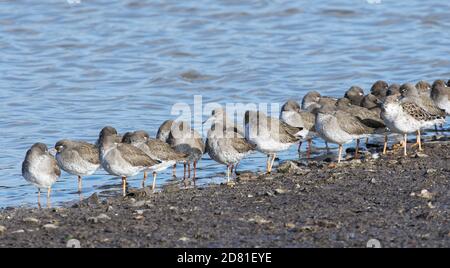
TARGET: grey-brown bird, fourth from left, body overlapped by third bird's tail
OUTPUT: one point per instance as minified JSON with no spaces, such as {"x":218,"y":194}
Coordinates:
{"x":156,"y":149}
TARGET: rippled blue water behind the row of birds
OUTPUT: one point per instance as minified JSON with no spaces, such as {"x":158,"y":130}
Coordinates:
{"x":67,"y":69}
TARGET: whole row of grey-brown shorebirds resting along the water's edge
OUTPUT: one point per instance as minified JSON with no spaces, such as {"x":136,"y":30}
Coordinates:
{"x":402,"y":109}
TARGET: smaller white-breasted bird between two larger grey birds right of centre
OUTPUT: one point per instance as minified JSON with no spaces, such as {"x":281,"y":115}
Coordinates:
{"x":293,"y":115}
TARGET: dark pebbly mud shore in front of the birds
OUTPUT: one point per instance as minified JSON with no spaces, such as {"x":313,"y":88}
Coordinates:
{"x":402,"y":202}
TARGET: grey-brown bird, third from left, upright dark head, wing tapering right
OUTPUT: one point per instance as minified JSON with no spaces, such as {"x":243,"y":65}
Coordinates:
{"x":121,"y":159}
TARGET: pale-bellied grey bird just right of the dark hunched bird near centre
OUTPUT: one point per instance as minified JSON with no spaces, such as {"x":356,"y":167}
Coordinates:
{"x":227,"y":146}
